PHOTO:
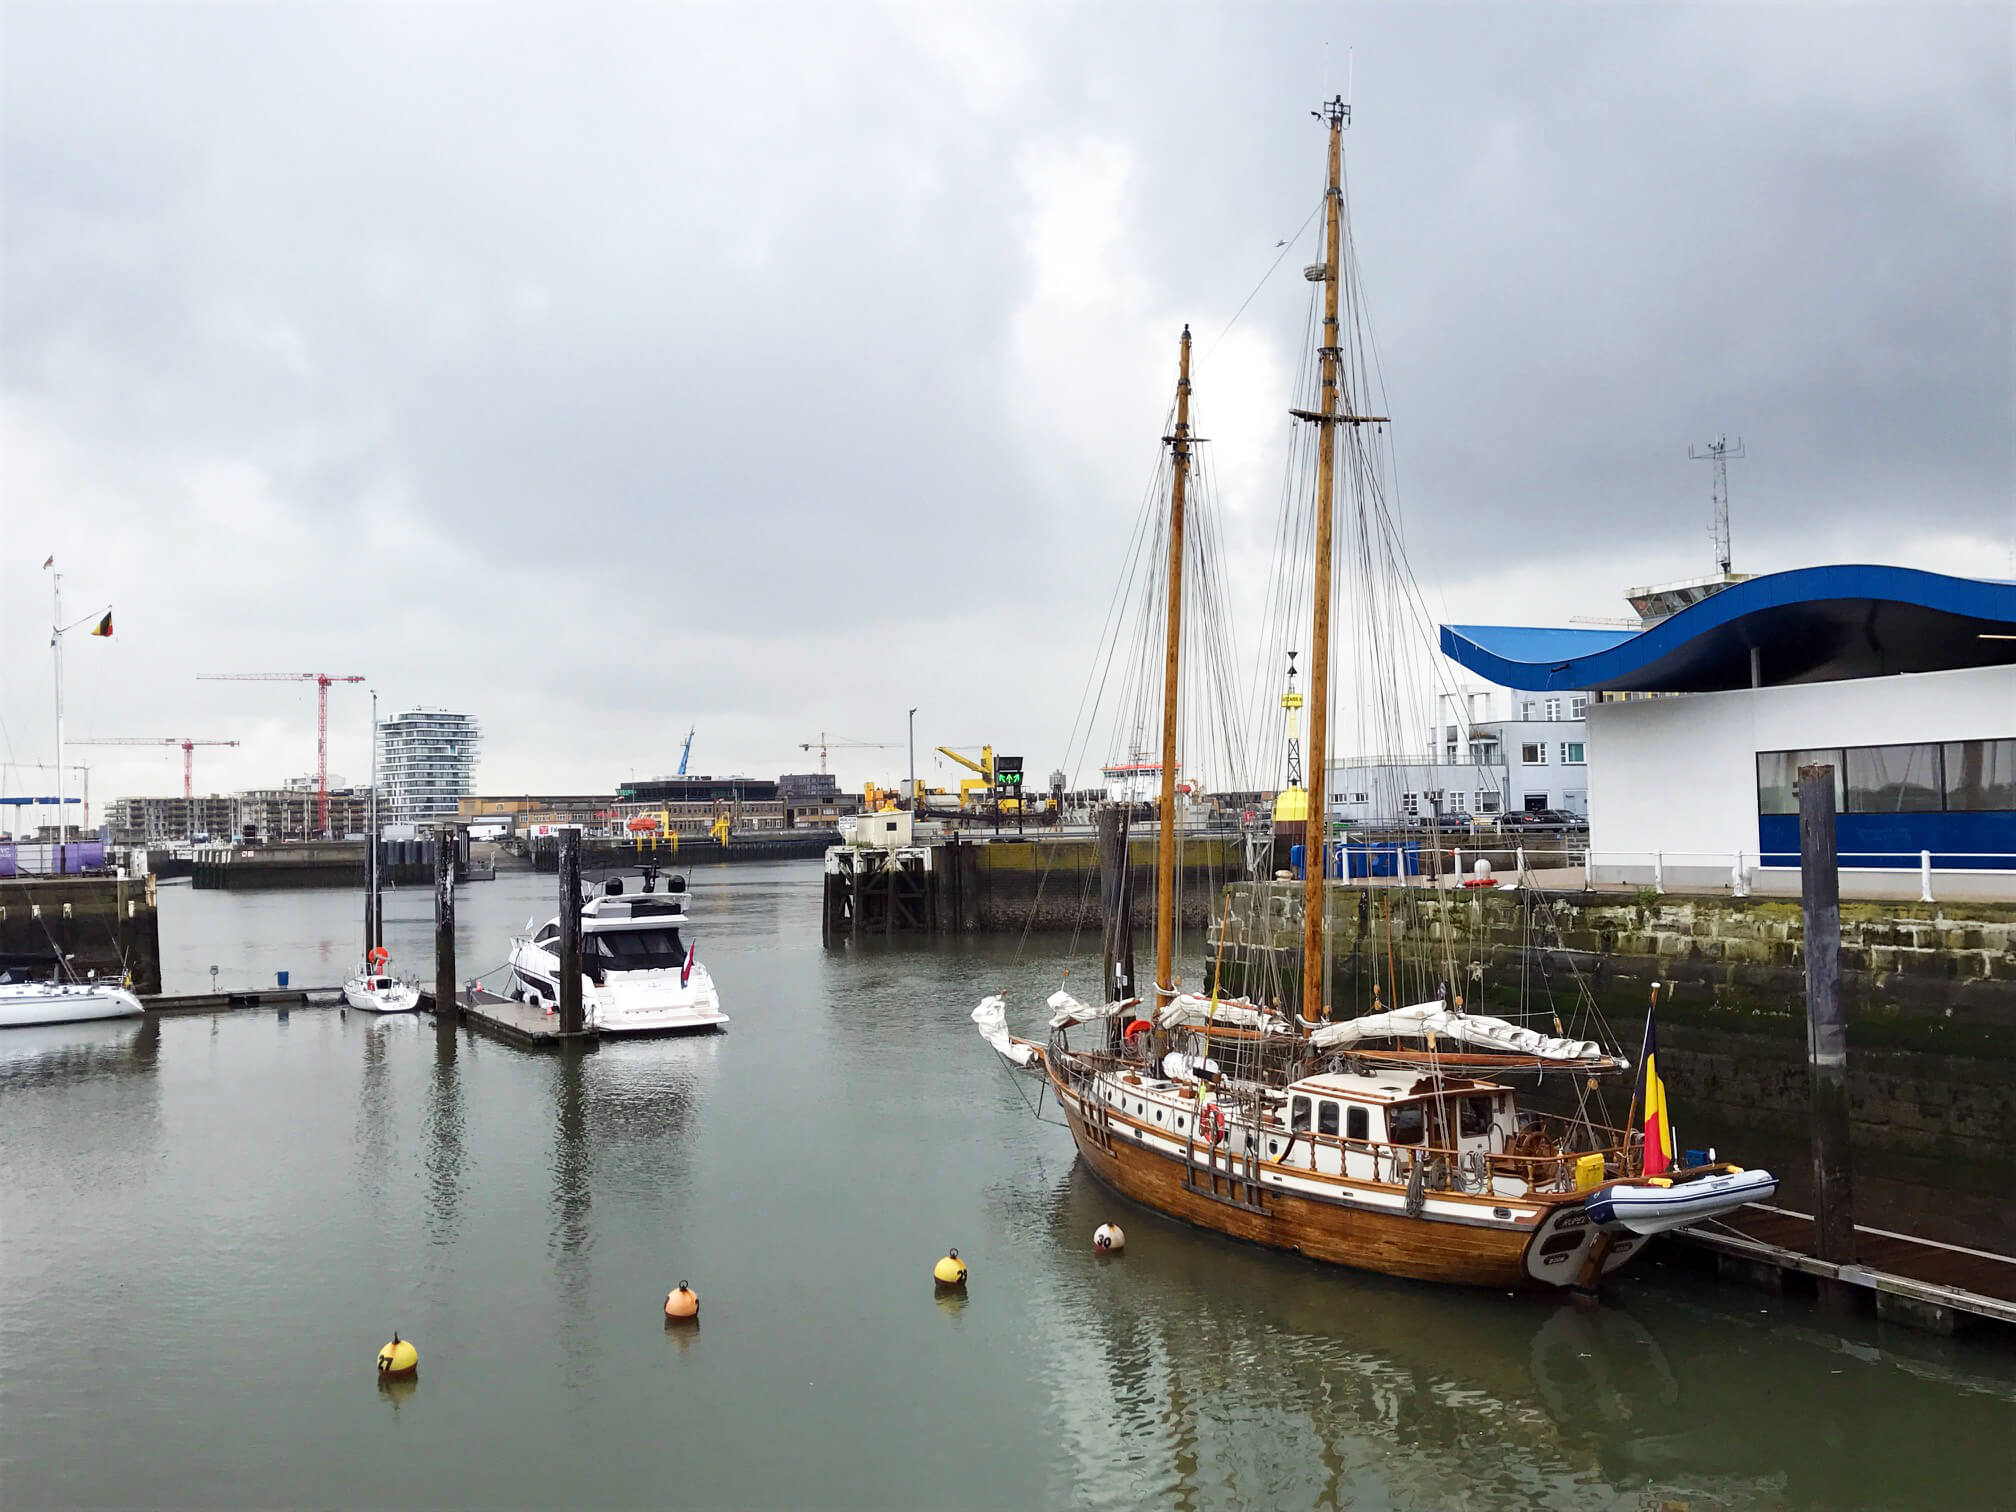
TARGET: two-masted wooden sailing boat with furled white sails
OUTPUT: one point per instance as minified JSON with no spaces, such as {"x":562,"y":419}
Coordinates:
{"x":1388,"y":1142}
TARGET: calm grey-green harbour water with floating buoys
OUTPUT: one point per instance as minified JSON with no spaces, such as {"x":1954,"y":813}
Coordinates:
{"x":211,"y":1225}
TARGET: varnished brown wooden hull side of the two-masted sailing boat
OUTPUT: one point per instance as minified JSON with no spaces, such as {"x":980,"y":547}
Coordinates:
{"x":1392,"y":1245}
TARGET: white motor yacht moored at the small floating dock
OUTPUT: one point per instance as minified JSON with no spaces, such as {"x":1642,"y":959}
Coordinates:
{"x":638,"y":973}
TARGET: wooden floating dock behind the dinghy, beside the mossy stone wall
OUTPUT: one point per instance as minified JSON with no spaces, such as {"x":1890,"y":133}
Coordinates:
{"x":1920,"y":1283}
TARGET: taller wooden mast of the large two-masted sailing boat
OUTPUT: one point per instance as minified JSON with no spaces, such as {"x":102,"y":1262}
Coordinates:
{"x":1319,"y":652}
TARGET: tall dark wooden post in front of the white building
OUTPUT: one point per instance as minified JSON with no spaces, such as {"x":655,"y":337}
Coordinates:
{"x":1828,"y":1043}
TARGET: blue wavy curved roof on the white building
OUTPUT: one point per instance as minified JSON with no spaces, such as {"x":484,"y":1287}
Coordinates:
{"x":1815,"y":624}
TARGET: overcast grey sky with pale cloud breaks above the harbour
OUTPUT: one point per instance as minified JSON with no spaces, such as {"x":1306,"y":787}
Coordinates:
{"x":616,"y":370}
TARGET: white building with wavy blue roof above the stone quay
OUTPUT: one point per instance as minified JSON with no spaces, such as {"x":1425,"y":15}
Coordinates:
{"x":1904,"y":682}
